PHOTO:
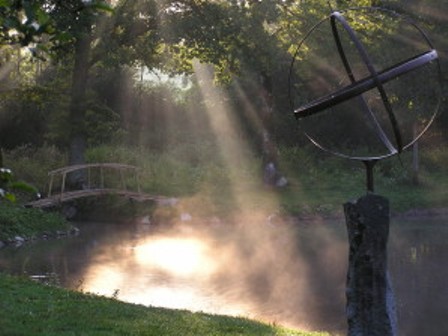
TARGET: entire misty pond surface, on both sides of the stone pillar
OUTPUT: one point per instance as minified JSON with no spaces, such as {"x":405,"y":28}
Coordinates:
{"x":288,"y":273}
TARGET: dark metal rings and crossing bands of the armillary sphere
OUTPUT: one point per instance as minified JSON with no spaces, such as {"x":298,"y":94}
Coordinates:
{"x":356,"y":88}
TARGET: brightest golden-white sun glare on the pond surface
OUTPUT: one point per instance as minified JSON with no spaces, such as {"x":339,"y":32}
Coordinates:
{"x":171,"y":272}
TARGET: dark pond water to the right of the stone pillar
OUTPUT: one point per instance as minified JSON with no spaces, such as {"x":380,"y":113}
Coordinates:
{"x":417,"y":261}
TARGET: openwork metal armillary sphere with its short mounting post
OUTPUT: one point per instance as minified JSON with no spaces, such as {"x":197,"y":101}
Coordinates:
{"x":365,"y":84}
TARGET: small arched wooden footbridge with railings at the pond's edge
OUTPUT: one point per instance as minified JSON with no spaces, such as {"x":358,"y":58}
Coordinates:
{"x":99,"y":179}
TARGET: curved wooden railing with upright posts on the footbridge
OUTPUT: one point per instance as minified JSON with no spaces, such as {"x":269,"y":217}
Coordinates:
{"x":91,"y":183}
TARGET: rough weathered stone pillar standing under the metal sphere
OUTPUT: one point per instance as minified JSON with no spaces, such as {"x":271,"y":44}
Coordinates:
{"x":370,"y":301}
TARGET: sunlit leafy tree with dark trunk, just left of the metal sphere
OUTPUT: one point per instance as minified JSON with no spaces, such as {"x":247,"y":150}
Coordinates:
{"x":247,"y":43}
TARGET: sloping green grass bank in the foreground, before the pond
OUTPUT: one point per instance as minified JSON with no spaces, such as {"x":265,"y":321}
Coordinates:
{"x":29,"y":308}
